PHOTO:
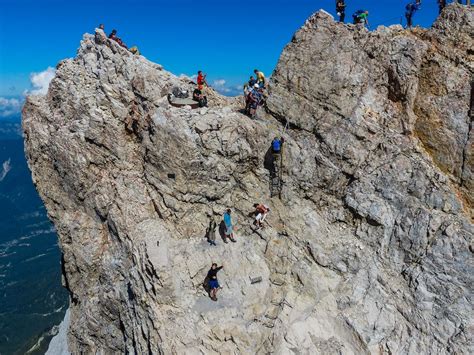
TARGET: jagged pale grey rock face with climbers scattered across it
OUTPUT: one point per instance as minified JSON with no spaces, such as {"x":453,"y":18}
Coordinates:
{"x":368,"y":251}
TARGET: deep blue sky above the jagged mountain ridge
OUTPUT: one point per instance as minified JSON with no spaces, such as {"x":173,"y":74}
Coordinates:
{"x":227,"y":39}
